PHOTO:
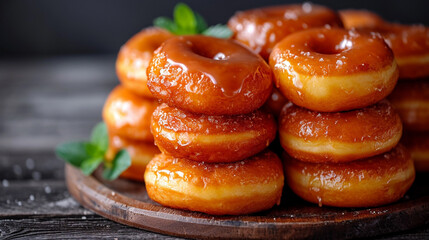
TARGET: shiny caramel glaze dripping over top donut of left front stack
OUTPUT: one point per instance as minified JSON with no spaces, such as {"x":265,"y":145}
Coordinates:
{"x":226,"y":66}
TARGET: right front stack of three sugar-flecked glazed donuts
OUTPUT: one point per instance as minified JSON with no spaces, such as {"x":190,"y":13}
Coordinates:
{"x":340,"y":135}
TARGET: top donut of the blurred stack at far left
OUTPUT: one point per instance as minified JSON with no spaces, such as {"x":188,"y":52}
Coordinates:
{"x":134,"y":57}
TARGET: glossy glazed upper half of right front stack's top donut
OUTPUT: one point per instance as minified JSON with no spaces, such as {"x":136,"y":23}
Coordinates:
{"x":333,"y":52}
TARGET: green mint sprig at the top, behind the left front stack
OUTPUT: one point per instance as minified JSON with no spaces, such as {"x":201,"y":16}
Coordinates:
{"x":188,"y":22}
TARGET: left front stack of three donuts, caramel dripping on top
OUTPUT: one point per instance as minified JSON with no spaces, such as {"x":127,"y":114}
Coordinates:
{"x":210,"y":130}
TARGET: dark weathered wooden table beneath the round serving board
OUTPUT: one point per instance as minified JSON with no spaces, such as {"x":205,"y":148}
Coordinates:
{"x":44,"y":102}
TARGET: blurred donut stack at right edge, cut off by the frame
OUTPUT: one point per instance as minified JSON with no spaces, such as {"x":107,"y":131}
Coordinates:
{"x":410,"y":45}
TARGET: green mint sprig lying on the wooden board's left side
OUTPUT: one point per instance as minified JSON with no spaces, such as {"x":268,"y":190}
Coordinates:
{"x":88,"y":155}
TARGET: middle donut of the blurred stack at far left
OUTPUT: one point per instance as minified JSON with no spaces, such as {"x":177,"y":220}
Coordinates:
{"x":128,"y":115}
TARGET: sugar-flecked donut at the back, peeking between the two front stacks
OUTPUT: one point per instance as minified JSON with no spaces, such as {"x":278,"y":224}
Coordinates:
{"x":261,"y":28}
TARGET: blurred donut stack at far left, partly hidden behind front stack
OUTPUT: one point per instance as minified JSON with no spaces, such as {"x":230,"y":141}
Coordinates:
{"x":129,"y":107}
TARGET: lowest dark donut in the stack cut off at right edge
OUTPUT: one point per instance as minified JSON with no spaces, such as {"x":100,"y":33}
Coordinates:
{"x":418,"y":144}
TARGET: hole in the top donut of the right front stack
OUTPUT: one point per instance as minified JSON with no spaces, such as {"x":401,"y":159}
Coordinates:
{"x":324,"y":45}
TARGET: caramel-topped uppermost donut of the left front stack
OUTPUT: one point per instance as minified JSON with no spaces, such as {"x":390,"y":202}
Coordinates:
{"x":209,"y":75}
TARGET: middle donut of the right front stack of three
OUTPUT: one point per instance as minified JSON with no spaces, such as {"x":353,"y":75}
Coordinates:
{"x":341,"y":136}
